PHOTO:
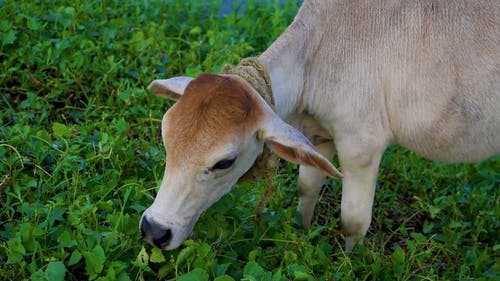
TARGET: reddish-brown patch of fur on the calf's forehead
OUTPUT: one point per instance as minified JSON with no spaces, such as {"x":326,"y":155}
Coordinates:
{"x":212,"y":110}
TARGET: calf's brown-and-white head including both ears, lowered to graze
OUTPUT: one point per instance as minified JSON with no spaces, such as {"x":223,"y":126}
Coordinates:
{"x":212,"y":136}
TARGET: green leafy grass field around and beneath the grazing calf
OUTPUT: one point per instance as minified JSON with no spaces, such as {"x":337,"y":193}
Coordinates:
{"x":81,"y":158}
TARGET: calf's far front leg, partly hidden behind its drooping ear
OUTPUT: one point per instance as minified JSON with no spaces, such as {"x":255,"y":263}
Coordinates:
{"x":309,"y":184}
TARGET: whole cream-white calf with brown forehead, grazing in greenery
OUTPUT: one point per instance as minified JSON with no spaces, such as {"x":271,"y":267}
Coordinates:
{"x":350,"y":76}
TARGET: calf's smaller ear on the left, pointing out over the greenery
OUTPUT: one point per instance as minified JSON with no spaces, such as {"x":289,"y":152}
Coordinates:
{"x":172,"y":88}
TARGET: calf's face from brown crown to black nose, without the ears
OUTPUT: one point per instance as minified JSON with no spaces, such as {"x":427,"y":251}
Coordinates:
{"x":210,"y":141}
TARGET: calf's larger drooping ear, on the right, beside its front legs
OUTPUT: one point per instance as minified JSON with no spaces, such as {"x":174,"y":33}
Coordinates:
{"x":290,"y":144}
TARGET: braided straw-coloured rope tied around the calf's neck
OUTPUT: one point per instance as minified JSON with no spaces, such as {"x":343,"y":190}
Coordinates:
{"x":265,"y":166}
